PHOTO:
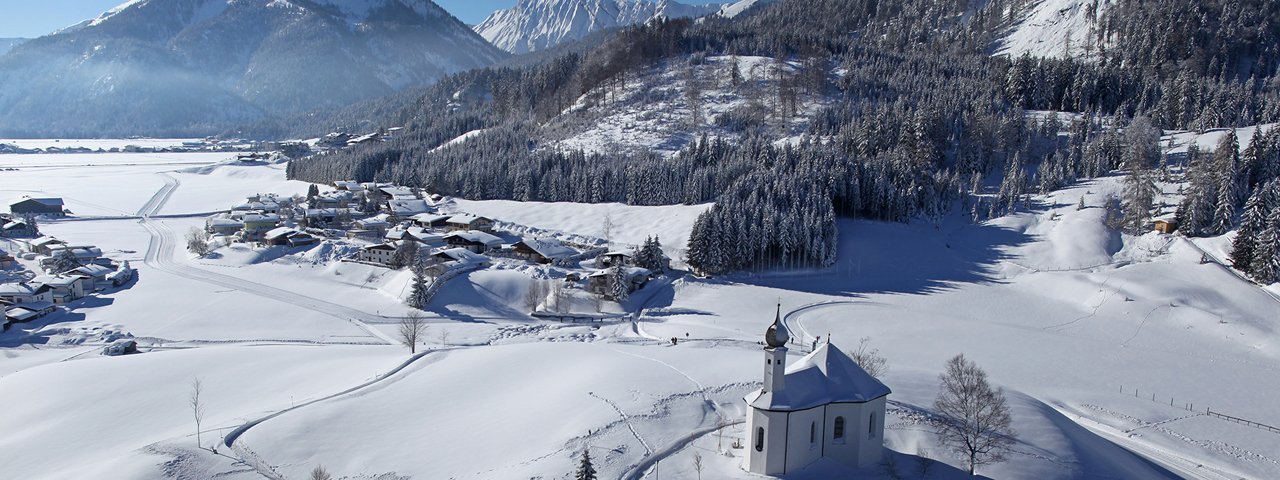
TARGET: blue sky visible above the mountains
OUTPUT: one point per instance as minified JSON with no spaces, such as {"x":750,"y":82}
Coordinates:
{"x":34,"y":19}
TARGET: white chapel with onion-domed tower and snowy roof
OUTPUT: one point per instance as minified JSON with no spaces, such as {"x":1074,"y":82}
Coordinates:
{"x":822,"y":405}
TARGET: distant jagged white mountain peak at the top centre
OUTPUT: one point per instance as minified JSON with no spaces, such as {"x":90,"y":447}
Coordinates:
{"x":537,"y":25}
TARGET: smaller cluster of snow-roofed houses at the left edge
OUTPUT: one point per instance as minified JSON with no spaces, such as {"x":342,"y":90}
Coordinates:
{"x":43,"y":276}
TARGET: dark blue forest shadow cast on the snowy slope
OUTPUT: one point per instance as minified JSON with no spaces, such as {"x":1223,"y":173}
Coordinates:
{"x":893,"y":258}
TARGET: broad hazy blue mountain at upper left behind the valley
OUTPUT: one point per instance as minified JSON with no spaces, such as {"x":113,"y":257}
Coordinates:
{"x":195,"y":66}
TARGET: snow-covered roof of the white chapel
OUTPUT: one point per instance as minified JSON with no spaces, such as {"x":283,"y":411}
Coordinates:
{"x":828,"y":376}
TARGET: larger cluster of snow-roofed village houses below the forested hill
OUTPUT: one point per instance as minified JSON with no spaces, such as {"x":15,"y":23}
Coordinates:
{"x":406,"y":230}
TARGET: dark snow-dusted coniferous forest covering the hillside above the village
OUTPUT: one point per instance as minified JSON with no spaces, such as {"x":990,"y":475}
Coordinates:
{"x":920,"y":122}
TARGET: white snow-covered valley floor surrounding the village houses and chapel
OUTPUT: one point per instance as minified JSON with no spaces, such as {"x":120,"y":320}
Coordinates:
{"x":1113,"y":350}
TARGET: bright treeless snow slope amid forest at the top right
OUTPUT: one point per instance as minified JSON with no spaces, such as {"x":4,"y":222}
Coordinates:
{"x":1054,"y":29}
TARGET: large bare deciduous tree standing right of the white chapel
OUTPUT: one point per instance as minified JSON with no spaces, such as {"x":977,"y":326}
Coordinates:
{"x":976,"y":423}
